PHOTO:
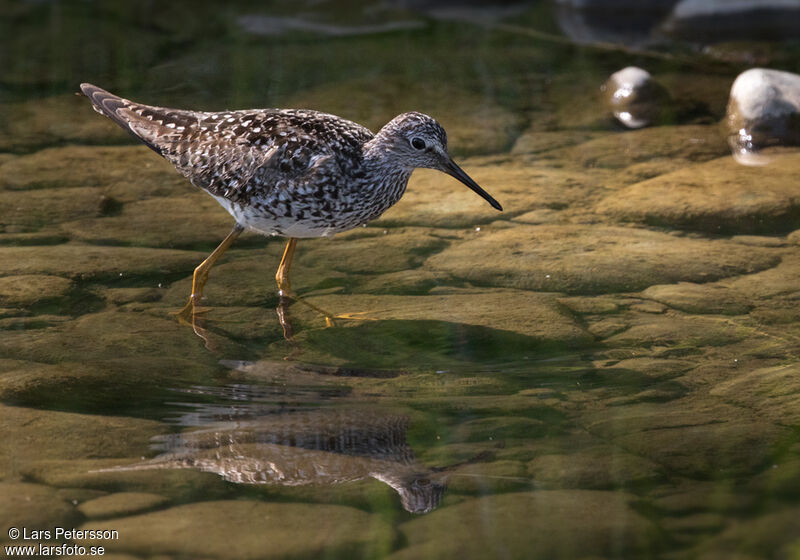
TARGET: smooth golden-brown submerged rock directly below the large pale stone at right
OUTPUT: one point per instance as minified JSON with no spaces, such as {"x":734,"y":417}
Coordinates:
{"x":718,"y":196}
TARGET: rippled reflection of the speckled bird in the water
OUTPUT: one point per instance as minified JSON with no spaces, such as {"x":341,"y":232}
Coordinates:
{"x":308,"y":447}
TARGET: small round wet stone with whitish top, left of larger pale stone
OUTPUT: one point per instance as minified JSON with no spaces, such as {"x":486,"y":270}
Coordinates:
{"x":634,"y":97}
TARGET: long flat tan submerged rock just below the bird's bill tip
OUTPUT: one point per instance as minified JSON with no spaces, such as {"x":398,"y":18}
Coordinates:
{"x":594,"y":259}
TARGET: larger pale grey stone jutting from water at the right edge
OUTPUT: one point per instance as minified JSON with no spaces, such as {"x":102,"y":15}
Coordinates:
{"x":763,"y":110}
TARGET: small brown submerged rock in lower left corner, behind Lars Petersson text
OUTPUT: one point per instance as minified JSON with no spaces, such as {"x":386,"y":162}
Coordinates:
{"x":33,"y":507}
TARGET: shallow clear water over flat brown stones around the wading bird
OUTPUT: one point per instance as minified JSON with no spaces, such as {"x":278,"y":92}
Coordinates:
{"x":607,"y":369}
